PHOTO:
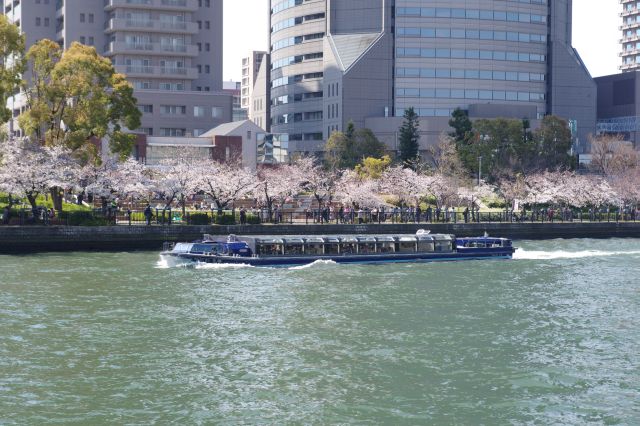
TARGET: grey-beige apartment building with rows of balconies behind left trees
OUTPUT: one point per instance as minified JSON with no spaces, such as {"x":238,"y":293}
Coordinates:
{"x":170,"y":50}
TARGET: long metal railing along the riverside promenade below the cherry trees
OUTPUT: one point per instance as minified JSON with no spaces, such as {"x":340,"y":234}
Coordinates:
{"x":24,"y":216}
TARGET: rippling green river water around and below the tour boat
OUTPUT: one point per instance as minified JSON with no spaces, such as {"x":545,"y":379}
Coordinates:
{"x":551,"y":337}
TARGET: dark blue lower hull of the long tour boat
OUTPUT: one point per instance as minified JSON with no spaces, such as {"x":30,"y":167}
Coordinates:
{"x":288,"y":261}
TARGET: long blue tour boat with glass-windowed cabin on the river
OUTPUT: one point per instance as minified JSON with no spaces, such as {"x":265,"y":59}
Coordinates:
{"x":298,"y":250}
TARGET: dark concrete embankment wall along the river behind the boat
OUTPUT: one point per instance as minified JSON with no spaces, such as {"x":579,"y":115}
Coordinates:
{"x":14,"y":239}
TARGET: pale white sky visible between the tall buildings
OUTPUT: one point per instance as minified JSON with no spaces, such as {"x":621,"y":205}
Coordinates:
{"x":595,"y":34}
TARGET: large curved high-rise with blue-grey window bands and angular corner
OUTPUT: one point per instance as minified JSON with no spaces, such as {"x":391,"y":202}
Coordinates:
{"x":493,"y":58}
